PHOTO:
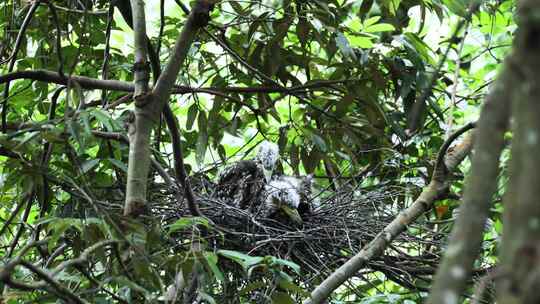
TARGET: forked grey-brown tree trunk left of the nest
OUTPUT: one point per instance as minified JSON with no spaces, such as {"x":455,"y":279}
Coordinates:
{"x":150,"y":105}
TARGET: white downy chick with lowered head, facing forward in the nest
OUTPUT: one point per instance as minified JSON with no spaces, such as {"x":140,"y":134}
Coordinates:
{"x":282,"y":196}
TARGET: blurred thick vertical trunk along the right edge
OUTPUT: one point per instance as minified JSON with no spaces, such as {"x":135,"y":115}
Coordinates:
{"x":520,"y":254}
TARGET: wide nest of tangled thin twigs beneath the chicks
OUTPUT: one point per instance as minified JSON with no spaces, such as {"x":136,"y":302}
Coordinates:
{"x":341,"y":225}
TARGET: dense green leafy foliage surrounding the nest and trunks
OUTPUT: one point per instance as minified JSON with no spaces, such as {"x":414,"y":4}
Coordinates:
{"x":361,"y":94}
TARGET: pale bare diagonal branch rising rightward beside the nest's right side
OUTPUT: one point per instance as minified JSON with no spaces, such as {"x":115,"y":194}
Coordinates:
{"x":436,"y":189}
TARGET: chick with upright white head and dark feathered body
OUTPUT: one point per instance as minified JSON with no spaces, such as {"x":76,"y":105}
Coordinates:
{"x":240,"y":184}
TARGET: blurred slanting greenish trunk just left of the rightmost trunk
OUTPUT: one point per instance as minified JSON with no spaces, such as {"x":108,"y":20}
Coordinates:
{"x":466,"y":238}
